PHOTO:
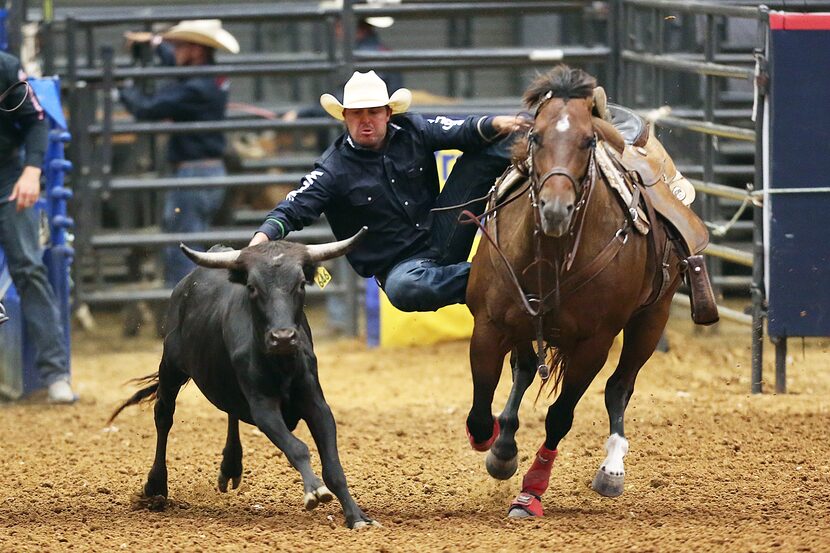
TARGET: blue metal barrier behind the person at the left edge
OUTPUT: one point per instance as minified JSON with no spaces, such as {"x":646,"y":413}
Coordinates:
{"x":17,"y":371}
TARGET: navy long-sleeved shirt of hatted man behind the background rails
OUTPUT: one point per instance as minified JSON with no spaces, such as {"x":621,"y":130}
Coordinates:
{"x":182,"y":100}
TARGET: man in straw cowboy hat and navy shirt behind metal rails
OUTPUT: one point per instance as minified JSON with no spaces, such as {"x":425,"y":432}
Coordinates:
{"x":198,"y":98}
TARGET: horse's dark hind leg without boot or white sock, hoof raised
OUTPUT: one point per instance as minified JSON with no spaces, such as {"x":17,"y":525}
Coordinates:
{"x":502,"y":460}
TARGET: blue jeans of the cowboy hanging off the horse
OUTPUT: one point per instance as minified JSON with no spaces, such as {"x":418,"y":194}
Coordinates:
{"x":439,"y":277}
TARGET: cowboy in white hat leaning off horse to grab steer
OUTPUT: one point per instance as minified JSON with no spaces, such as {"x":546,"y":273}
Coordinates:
{"x":381,"y":173}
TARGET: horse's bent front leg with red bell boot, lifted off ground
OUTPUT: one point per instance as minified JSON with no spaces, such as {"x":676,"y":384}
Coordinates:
{"x":487,"y":351}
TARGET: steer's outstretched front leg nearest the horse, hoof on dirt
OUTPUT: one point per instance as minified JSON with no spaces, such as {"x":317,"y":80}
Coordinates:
{"x":323,"y":429}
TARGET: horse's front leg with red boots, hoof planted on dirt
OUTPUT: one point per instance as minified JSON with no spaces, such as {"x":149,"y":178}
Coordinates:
{"x":581,"y":367}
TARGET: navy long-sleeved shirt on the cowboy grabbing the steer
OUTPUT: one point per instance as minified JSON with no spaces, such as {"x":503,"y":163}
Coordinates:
{"x":390,"y":191}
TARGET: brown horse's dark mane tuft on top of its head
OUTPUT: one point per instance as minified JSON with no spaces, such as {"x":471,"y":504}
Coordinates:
{"x":560,"y":82}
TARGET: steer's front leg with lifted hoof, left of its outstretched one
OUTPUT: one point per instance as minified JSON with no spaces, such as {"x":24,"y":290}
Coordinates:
{"x":267,"y":415}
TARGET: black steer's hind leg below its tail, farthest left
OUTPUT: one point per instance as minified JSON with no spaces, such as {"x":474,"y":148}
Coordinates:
{"x":170,"y":382}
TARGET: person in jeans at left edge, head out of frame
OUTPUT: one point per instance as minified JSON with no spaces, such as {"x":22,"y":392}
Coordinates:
{"x":23,"y":143}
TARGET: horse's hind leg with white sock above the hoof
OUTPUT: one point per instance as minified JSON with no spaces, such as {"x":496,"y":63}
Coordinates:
{"x":642,"y":334}
